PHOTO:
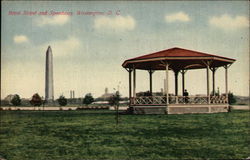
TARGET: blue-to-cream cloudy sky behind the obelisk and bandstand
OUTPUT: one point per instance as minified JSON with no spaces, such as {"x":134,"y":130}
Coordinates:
{"x":91,"y":40}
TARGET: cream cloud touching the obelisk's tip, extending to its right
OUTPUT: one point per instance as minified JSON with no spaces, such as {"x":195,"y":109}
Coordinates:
{"x":64,"y":47}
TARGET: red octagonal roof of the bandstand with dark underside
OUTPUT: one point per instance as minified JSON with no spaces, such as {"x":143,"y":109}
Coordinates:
{"x":178,"y":59}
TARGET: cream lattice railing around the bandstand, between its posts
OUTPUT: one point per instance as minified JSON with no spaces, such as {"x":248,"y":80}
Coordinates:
{"x":161,"y":100}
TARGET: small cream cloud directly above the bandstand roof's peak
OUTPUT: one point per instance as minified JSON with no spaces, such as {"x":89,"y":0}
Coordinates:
{"x":177,"y":17}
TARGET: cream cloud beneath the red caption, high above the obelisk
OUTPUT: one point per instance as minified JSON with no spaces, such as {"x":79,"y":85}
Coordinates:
{"x":55,"y":20}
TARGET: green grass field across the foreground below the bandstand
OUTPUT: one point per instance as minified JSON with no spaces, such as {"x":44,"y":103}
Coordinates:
{"x":95,"y":135}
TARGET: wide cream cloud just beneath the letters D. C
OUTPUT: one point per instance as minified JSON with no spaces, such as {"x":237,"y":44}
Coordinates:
{"x":118,"y":23}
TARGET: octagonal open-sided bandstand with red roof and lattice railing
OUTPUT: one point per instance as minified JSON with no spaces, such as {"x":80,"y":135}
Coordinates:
{"x":179,"y":61}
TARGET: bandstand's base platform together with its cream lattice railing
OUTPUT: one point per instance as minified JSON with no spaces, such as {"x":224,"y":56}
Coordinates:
{"x":195,"y":104}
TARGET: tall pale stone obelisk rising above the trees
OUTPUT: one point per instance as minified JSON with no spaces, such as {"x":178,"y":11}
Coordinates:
{"x":49,"y":87}
